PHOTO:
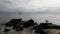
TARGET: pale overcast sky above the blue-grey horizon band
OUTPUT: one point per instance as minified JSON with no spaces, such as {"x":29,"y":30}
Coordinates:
{"x":30,"y":5}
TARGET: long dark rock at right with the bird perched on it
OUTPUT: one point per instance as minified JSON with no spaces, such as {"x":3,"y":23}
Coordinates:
{"x":41,"y":26}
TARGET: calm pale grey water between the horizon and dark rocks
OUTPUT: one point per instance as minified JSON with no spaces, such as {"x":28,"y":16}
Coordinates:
{"x":54,"y":18}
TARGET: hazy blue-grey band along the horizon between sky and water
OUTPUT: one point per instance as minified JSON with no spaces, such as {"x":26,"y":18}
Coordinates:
{"x":2,"y":12}
